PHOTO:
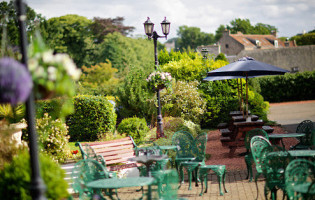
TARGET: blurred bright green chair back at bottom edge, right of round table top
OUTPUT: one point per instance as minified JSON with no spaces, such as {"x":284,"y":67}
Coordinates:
{"x":167,"y":181}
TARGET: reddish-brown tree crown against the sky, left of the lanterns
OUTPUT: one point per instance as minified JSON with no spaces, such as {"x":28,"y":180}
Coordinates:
{"x":103,"y":26}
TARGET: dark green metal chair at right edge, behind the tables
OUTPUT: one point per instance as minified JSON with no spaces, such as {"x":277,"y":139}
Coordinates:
{"x":307,"y":127}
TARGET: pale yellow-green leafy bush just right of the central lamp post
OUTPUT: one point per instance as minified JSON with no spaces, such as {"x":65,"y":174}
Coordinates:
{"x":184,"y":101}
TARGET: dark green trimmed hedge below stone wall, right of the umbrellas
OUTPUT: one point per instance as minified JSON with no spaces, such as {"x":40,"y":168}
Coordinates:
{"x":289,"y":87}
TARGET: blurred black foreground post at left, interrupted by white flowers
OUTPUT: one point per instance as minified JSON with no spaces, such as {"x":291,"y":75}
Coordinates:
{"x":37,"y":186}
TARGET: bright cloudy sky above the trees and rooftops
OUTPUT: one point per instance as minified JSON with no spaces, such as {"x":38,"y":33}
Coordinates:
{"x":291,"y":17}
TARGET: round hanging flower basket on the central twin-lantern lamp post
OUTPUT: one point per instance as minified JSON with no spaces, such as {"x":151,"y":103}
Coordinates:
{"x":159,"y":80}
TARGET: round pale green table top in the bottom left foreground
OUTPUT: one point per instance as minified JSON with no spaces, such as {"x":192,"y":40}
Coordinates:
{"x":115,"y":183}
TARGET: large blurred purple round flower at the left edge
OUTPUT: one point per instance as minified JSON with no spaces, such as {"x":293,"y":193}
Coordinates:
{"x":15,"y":81}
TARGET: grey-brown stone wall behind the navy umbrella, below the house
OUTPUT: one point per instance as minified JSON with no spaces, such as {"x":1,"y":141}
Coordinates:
{"x":302,"y":57}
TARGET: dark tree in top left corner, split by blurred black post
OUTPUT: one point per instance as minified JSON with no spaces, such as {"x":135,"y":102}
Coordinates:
{"x":9,"y":23}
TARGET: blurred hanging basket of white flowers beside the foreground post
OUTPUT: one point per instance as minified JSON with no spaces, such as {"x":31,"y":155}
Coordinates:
{"x":52,"y":73}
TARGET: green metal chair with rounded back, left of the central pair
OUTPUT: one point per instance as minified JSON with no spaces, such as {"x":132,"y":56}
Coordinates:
{"x":185,"y":148}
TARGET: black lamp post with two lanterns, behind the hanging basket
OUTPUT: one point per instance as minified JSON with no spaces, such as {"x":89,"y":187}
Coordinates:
{"x":149,"y":31}
